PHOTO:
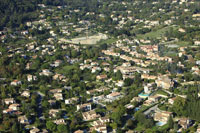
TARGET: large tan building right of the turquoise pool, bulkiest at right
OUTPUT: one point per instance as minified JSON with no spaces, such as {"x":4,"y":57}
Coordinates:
{"x":164,"y":82}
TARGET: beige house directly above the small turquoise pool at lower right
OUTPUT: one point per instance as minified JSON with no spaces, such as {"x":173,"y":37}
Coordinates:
{"x":162,"y":116}
